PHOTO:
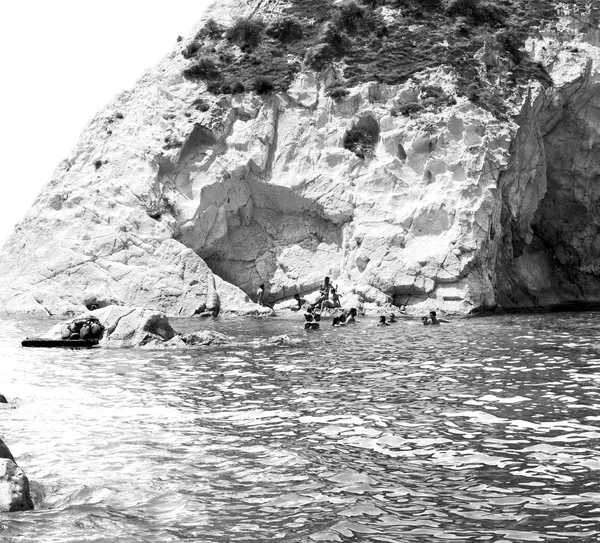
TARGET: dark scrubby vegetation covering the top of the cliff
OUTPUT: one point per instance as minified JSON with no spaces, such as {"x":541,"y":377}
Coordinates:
{"x":386,"y":41}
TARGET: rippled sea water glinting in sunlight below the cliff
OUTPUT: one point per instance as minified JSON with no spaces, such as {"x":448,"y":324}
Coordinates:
{"x":480,"y":430}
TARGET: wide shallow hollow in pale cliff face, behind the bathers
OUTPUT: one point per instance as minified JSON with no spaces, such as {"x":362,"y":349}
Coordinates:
{"x":278,"y":238}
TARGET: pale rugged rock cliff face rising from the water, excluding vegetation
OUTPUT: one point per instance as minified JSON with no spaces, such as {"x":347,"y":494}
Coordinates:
{"x":183,"y":198}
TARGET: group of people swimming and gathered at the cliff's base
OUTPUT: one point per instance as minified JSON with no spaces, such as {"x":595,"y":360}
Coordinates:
{"x":329,"y":299}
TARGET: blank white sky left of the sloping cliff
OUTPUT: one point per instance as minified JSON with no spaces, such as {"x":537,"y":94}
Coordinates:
{"x":61,"y":61}
